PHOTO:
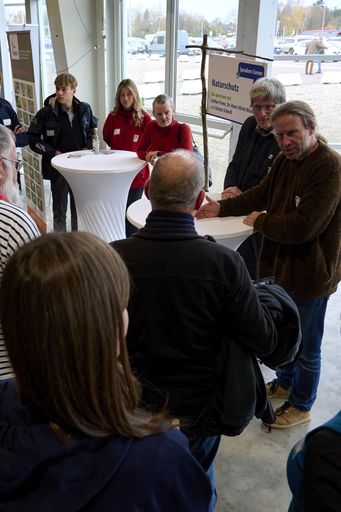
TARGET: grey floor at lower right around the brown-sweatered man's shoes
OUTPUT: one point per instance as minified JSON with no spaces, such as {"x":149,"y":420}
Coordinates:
{"x":250,"y":469}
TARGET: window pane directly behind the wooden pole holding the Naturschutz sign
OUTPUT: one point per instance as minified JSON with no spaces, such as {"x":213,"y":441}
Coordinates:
{"x":219,"y":21}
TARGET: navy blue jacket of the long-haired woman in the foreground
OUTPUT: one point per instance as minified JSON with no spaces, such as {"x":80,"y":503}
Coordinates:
{"x":39,"y":473}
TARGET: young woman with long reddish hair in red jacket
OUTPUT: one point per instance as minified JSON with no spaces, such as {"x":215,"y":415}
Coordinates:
{"x":123,"y":129}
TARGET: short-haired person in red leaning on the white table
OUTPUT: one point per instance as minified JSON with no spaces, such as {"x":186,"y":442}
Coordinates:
{"x":165,"y":134}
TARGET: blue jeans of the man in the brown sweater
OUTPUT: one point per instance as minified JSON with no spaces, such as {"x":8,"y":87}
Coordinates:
{"x":303,"y":375}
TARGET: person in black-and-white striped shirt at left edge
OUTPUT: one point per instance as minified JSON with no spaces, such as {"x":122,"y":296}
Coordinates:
{"x":16,"y":226}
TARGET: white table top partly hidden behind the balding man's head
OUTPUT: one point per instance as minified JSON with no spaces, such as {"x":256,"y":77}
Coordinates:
{"x":218,"y":227}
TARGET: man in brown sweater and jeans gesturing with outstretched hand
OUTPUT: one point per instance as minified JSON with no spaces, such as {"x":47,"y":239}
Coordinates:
{"x":297,"y":207}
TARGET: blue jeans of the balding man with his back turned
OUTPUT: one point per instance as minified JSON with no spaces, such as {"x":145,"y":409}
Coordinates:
{"x":204,"y":450}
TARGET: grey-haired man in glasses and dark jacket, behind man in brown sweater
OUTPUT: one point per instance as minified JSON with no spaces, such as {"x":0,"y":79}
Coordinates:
{"x":254,"y":155}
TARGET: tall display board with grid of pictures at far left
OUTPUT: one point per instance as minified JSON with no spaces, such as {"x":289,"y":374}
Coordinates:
{"x":25,"y":91}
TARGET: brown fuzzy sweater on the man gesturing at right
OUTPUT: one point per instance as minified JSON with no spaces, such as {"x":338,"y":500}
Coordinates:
{"x":302,"y":223}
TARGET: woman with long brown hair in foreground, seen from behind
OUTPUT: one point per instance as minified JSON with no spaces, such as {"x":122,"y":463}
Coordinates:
{"x":72,"y":436}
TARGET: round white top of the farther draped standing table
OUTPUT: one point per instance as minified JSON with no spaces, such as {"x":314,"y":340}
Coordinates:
{"x":107,"y":161}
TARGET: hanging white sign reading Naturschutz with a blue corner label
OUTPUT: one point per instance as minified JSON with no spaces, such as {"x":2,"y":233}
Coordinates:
{"x":229,"y":83}
